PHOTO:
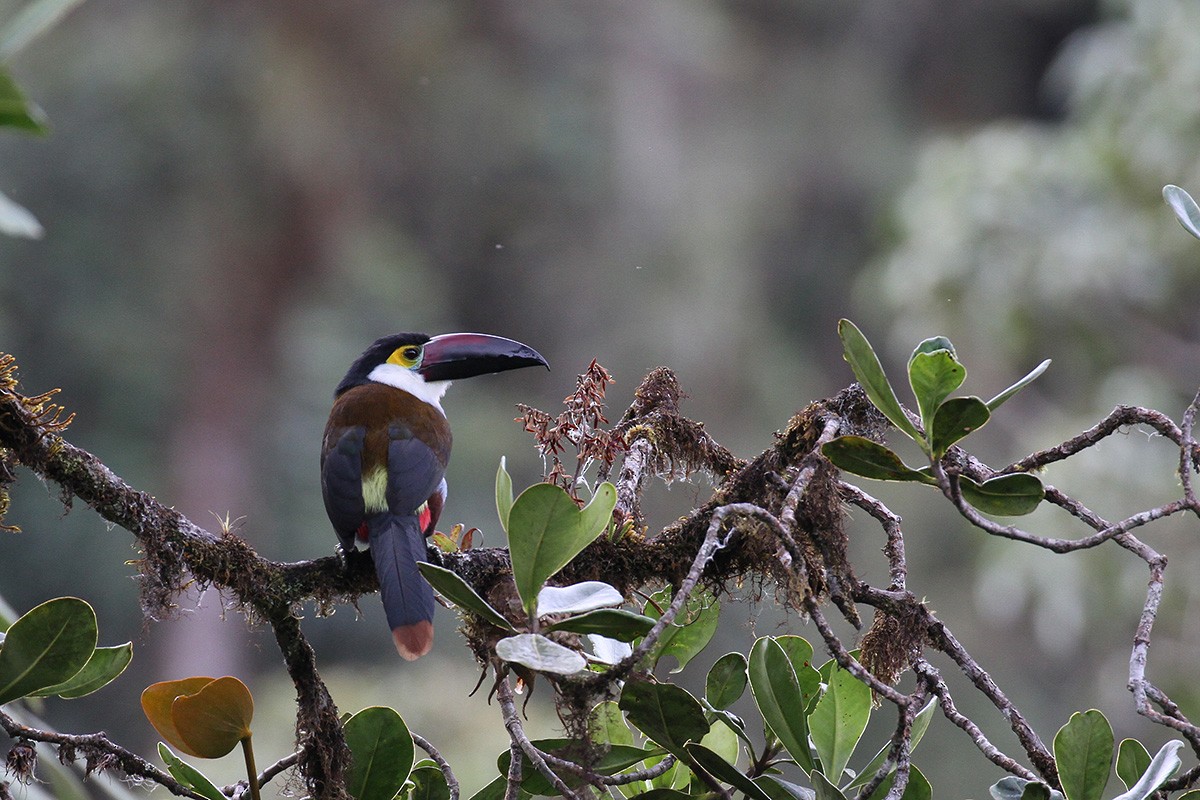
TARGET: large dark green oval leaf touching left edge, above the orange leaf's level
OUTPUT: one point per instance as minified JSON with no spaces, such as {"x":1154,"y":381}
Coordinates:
{"x":47,"y":646}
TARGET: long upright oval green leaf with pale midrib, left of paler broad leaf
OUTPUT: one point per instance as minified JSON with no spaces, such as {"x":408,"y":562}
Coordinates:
{"x":778,"y":695}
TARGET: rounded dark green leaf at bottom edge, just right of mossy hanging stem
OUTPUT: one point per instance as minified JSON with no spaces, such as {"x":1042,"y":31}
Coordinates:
{"x":382,"y":754}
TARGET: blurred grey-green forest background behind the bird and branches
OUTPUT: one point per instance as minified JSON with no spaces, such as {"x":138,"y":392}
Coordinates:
{"x":238,"y":197}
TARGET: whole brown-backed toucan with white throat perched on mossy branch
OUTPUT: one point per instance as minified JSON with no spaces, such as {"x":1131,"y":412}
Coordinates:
{"x":385,"y":456}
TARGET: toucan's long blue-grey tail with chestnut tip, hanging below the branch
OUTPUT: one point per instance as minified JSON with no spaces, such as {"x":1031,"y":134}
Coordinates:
{"x":397,"y":546}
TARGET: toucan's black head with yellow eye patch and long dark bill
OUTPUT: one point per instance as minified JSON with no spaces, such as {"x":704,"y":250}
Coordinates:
{"x":443,"y":358}
